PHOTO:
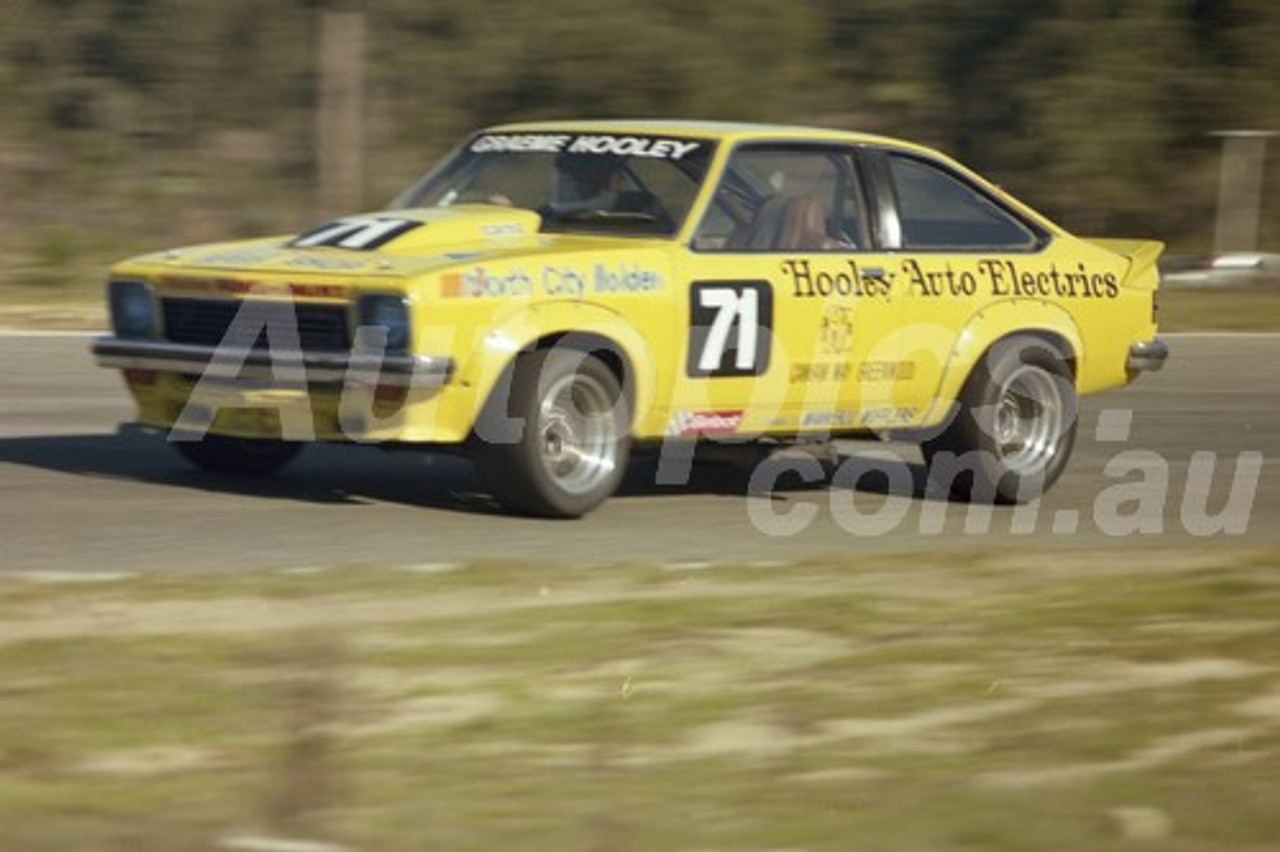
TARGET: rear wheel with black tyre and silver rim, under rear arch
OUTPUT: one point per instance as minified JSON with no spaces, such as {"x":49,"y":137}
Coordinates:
{"x":1013,"y":427}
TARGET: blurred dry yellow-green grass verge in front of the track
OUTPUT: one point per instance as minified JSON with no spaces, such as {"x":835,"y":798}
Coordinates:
{"x":1112,"y":700}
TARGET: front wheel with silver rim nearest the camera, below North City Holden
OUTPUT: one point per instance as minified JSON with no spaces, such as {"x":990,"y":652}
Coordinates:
{"x":569,"y":448}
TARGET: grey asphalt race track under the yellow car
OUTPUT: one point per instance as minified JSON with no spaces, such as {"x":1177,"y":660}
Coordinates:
{"x":76,"y":496}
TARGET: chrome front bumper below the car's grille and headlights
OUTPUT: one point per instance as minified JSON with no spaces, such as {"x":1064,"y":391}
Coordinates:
{"x":281,"y":369}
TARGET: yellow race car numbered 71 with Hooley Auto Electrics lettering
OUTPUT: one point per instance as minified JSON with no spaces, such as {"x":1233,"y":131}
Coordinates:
{"x":552,"y":296}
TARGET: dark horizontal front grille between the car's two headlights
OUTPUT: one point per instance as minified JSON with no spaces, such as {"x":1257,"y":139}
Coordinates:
{"x":322,"y":328}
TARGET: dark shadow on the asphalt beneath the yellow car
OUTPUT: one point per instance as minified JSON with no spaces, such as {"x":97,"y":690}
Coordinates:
{"x":368,"y":475}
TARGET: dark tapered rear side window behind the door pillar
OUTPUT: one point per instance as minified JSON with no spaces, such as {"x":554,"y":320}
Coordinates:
{"x":940,"y":210}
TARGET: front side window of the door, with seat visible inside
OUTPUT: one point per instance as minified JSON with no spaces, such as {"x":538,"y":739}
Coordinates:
{"x":775,"y":199}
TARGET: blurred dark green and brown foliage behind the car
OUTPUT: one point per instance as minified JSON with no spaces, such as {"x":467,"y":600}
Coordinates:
{"x":130,"y":125}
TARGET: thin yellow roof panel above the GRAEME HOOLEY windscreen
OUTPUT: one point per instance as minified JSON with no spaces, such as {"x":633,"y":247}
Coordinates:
{"x":724,"y":131}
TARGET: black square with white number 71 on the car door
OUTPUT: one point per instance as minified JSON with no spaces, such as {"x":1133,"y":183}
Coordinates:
{"x":730,"y":328}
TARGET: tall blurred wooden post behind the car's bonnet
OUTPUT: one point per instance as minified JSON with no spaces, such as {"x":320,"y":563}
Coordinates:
{"x":340,"y":114}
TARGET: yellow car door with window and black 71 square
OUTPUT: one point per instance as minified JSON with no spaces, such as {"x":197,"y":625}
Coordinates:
{"x":785,"y":299}
